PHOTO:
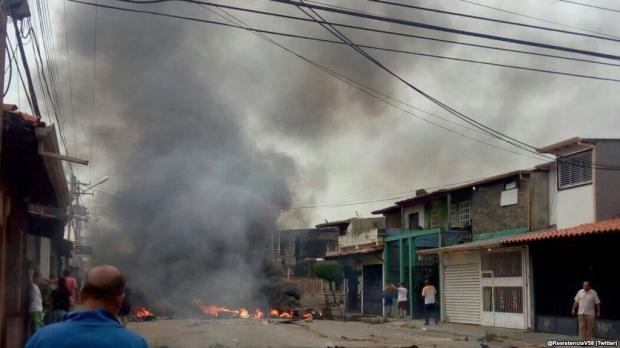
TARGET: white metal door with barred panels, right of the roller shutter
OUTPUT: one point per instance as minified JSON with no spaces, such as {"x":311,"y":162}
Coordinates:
{"x":503,"y":292}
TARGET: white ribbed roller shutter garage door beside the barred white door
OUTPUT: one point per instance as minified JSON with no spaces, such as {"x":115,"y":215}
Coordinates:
{"x":462,"y":293}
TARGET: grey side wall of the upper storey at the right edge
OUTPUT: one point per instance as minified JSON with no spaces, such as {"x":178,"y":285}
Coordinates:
{"x":607,"y":182}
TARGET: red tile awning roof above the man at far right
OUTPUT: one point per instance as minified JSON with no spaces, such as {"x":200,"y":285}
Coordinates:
{"x":606,"y":226}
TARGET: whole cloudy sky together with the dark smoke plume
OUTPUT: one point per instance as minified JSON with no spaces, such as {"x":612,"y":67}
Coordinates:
{"x":212,"y":136}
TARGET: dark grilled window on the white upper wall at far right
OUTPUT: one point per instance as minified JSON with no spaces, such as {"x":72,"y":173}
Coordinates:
{"x":575,"y":169}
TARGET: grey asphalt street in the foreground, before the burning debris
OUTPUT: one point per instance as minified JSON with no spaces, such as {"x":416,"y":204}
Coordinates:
{"x":220,"y":333}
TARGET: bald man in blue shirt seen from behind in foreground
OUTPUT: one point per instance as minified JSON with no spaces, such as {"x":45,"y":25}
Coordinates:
{"x":96,"y":326}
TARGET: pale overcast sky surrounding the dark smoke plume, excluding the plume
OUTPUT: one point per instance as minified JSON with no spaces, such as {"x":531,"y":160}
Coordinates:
{"x":345,"y":146}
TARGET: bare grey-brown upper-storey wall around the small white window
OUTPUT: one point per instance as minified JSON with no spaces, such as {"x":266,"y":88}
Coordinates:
{"x":489,"y":216}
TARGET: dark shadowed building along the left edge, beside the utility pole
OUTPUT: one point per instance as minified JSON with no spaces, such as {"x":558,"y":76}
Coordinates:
{"x":33,"y":203}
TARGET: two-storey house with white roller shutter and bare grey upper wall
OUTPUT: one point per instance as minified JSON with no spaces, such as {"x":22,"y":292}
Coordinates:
{"x":473,"y":271}
